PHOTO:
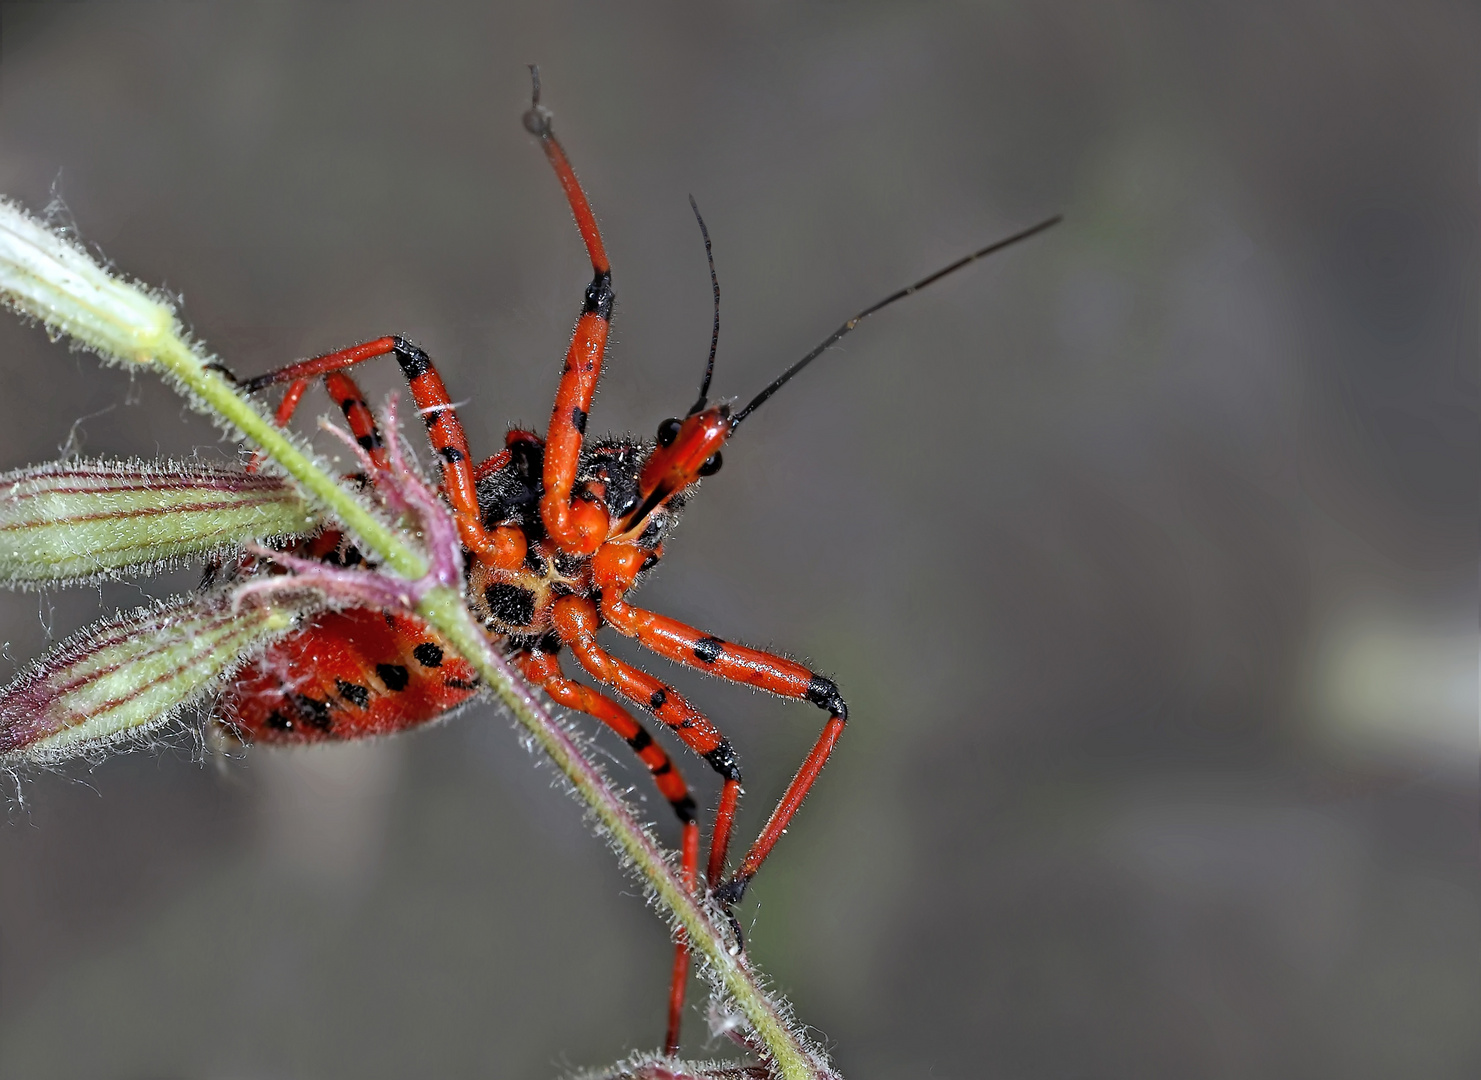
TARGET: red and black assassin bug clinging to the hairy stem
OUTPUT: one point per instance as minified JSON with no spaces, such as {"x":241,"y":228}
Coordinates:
{"x":558,"y":533}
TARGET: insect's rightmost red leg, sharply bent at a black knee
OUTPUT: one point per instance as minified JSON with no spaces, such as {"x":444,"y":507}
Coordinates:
{"x":740,"y":664}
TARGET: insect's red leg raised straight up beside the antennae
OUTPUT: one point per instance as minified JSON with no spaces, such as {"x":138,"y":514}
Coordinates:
{"x":578,"y":527}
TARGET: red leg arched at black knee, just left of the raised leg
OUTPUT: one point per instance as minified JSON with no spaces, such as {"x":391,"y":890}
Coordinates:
{"x":504,"y":547}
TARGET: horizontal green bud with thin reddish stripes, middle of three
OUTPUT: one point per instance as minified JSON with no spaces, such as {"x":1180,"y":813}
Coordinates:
{"x":85,"y":521}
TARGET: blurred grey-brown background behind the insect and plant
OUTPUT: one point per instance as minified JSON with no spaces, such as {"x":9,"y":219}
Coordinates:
{"x":1146,"y":553}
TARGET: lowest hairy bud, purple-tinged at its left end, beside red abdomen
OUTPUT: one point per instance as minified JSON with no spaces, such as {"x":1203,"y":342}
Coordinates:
{"x":125,"y":678}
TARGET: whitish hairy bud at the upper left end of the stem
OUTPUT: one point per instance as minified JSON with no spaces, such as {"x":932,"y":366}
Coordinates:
{"x":54,"y":281}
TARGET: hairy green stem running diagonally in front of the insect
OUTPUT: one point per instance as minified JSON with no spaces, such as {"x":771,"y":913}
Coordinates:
{"x":445,"y":611}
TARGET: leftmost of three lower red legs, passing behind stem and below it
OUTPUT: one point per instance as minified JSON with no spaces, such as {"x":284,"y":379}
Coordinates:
{"x":544,"y":670}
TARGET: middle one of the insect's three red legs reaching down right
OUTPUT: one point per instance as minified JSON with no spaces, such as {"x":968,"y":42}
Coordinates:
{"x":577,"y":621}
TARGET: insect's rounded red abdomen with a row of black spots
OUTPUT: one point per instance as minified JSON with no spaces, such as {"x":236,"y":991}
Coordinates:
{"x":346,"y":676}
